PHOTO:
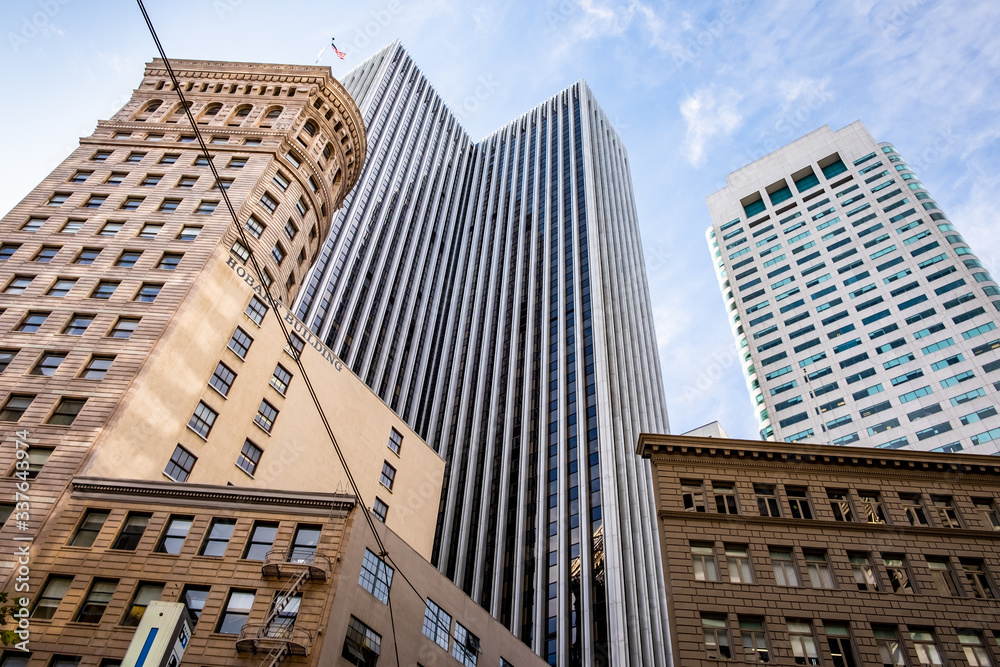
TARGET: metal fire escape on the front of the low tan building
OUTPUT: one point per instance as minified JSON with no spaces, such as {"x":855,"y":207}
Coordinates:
{"x":278,"y":637}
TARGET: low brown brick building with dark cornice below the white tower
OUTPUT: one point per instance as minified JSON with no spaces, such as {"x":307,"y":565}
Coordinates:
{"x":817,"y":555}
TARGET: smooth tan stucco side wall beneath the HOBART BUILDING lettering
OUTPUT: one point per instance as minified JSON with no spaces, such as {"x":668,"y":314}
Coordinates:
{"x":298,"y":455}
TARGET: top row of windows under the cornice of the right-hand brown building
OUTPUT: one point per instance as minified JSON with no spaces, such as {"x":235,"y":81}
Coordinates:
{"x":864,"y":506}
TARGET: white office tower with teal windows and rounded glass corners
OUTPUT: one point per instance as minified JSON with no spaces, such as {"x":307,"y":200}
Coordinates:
{"x":861,"y":314}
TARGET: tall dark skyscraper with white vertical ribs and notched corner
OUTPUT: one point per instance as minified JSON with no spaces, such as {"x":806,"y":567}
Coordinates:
{"x":494,"y":295}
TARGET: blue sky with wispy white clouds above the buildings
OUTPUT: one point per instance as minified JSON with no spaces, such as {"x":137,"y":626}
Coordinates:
{"x":696,"y":89}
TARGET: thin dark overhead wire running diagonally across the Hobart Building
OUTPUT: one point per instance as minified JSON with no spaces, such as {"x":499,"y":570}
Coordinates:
{"x":273,"y":303}
